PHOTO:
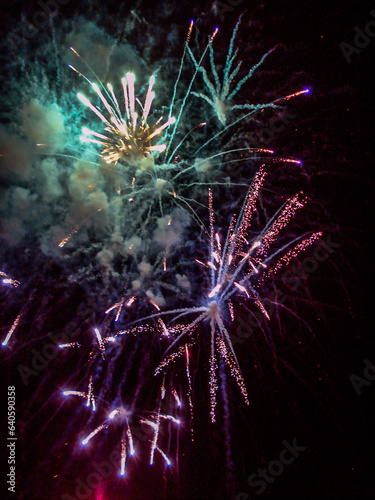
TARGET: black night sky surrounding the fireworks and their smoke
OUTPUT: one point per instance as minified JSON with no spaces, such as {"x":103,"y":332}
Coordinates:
{"x":314,"y":402}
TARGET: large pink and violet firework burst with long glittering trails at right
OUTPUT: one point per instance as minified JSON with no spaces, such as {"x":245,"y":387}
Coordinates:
{"x":233,"y":268}
